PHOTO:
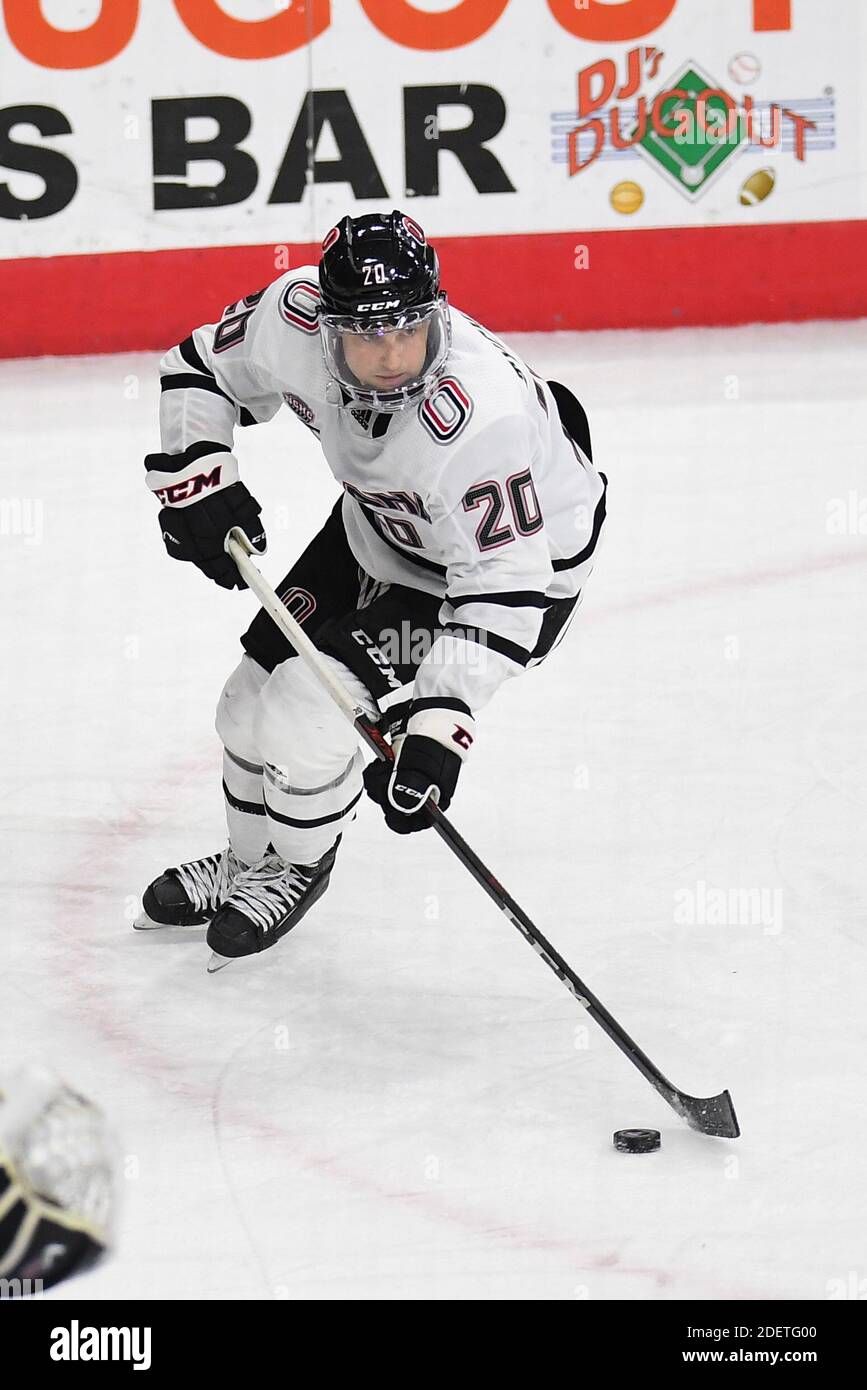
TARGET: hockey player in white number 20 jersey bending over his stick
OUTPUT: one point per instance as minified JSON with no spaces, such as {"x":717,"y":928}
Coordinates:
{"x":454,"y":561}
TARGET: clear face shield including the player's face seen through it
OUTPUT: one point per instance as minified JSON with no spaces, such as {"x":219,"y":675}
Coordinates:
{"x":388,"y":362}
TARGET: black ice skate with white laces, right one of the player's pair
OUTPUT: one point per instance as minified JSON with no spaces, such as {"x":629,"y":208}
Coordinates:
{"x":265,"y":904}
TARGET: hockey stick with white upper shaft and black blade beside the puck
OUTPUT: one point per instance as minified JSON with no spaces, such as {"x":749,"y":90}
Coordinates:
{"x":711,"y":1115}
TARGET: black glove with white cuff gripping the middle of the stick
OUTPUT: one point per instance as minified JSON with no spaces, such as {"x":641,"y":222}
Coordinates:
{"x":427,"y":767}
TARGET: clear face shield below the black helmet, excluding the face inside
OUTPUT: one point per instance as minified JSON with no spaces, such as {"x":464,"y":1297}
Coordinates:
{"x":336,"y":327}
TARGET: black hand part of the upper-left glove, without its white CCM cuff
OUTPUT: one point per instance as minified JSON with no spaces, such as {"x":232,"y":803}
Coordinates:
{"x":198,"y":533}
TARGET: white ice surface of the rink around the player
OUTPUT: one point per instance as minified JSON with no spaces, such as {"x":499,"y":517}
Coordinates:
{"x":401,"y":1100}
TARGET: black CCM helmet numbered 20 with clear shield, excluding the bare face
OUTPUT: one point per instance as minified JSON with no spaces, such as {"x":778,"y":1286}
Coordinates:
{"x":379,"y":275}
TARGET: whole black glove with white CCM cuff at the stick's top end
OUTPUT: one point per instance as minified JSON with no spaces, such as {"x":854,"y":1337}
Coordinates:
{"x":197,"y":530}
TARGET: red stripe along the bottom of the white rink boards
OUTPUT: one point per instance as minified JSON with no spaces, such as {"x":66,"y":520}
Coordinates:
{"x":657,"y":279}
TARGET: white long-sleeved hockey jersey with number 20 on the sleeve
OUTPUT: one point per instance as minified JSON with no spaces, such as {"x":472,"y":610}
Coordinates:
{"x":476,"y":496}
